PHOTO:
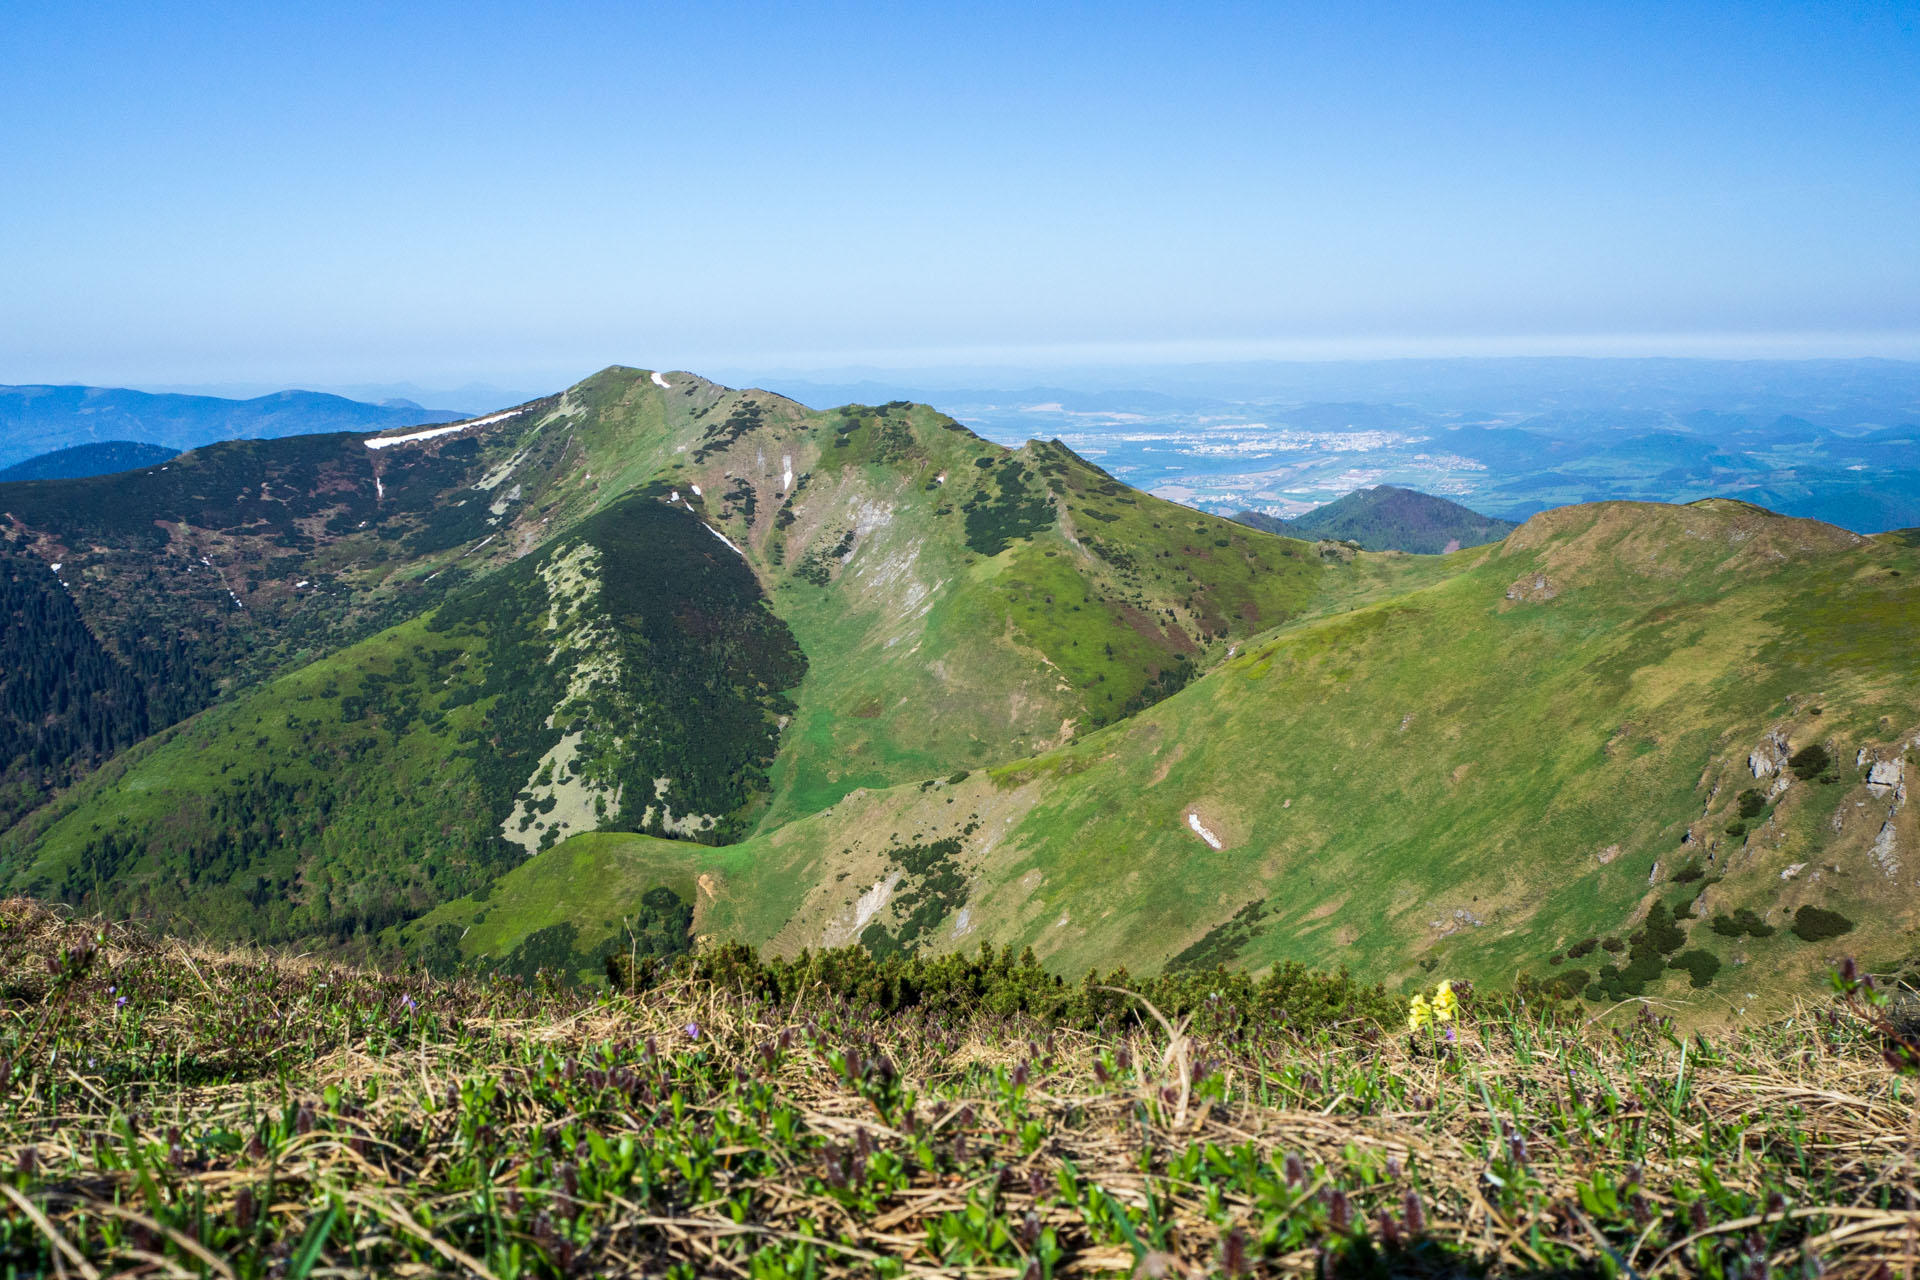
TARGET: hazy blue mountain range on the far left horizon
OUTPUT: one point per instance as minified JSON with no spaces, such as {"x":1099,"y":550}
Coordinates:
{"x":49,"y":419}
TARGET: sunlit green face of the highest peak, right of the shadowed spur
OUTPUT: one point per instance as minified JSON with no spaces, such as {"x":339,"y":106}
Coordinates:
{"x":959,"y":604}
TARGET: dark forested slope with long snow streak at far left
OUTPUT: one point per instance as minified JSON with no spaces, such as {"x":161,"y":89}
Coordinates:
{"x":229,"y":563}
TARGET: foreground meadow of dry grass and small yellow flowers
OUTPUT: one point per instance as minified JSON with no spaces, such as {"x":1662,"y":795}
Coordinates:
{"x":174,"y":1110}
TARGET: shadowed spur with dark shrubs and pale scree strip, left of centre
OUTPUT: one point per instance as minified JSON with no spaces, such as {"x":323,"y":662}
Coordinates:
{"x":625,"y":676}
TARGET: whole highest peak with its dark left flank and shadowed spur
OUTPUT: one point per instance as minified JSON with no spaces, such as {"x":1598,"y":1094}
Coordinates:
{"x":540,"y":675}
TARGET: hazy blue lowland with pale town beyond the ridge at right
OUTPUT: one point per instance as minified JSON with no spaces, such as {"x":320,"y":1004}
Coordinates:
{"x":1829,"y":440}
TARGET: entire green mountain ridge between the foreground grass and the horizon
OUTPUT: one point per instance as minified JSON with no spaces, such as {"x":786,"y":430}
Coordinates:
{"x":865,"y":676}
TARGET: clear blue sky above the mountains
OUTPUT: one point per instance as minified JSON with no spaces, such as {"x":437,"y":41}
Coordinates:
{"x":331,"y":193}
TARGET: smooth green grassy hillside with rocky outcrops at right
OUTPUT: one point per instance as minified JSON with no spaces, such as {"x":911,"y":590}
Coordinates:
{"x":1598,"y":728}
